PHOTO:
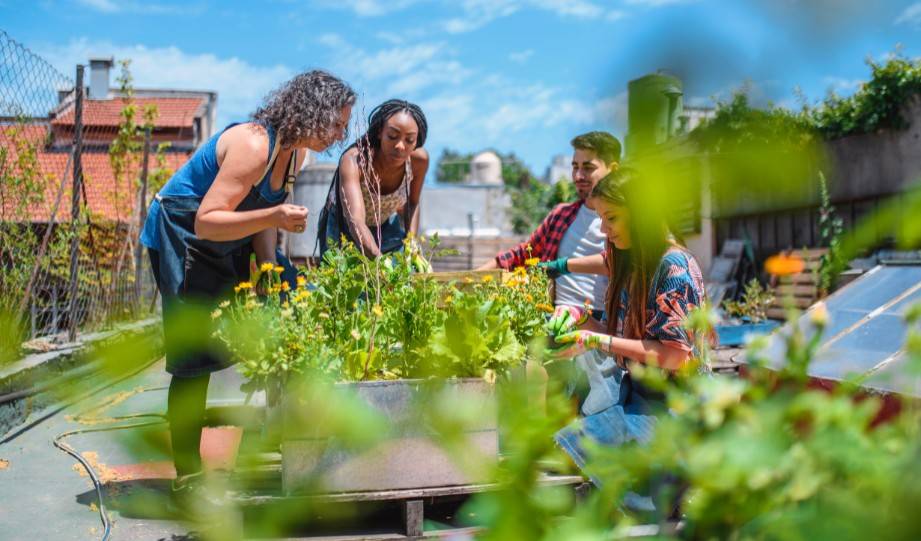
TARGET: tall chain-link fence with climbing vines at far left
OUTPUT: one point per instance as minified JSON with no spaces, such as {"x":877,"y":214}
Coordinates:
{"x":73,"y":188}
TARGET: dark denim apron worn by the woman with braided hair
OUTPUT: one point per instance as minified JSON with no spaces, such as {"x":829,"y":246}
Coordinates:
{"x":332,"y":226}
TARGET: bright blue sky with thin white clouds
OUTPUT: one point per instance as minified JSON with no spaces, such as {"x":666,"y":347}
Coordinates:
{"x":520,"y":76}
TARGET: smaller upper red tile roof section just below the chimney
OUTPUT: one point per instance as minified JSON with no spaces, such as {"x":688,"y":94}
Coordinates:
{"x":173,"y":112}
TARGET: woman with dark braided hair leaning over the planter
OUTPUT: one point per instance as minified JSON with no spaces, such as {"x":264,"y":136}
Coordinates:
{"x":373,"y":201}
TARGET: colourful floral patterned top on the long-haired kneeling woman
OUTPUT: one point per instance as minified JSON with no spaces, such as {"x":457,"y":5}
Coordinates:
{"x":678,"y":288}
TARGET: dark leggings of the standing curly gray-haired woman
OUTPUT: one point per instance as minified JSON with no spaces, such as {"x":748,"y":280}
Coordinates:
{"x":185,"y":408}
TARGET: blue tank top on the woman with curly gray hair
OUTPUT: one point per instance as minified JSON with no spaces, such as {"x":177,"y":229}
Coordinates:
{"x":195,"y":179}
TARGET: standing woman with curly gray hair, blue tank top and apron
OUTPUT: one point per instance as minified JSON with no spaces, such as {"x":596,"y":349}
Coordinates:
{"x":226,"y":201}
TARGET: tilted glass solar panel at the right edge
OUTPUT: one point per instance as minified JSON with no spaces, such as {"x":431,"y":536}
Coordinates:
{"x":866,"y":331}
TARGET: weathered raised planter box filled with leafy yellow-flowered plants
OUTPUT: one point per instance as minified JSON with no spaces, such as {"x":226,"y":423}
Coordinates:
{"x":408,"y":353}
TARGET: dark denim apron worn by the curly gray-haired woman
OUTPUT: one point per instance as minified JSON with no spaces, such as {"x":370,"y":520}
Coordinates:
{"x":194,"y":274}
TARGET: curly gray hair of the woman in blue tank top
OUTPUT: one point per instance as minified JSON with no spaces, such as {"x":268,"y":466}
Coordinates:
{"x":308,"y":105}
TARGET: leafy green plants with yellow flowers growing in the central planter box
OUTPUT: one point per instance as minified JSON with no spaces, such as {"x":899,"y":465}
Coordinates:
{"x":356,"y":319}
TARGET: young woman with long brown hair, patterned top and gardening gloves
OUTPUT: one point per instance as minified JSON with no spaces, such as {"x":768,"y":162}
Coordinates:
{"x":654,"y":283}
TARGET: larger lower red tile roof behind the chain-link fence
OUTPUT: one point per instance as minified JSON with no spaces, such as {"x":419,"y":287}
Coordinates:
{"x":107,"y":199}
